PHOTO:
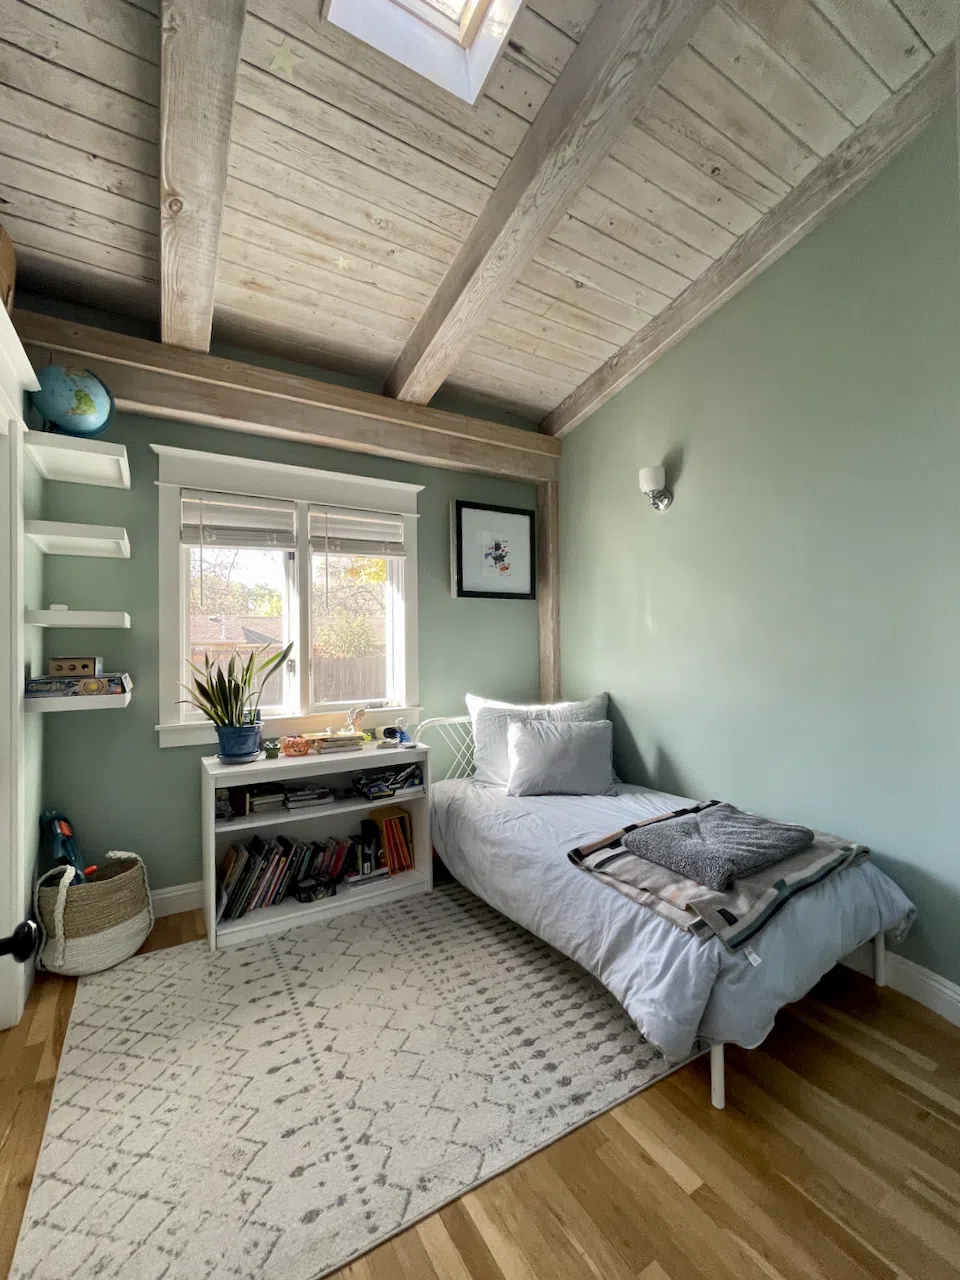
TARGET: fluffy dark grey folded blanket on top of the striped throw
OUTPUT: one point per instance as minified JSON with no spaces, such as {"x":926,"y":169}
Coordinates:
{"x":717,"y":844}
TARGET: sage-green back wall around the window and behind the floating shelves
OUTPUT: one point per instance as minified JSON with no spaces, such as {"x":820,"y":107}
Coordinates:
{"x":106,"y":769}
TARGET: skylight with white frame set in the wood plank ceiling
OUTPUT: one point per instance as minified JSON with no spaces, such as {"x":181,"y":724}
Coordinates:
{"x":452,"y":43}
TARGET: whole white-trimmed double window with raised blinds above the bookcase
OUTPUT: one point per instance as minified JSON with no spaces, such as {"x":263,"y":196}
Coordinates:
{"x":257,"y":556}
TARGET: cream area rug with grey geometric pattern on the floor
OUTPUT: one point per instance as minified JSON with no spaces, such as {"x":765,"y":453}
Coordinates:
{"x":275,"y":1110}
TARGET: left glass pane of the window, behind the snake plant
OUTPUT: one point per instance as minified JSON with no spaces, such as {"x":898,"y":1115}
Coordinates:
{"x":240,"y":604}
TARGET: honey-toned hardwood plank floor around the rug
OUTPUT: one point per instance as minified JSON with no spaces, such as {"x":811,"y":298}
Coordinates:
{"x":838,"y":1158}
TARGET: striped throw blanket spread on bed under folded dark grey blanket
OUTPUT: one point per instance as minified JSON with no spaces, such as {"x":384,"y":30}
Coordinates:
{"x":734,"y":916}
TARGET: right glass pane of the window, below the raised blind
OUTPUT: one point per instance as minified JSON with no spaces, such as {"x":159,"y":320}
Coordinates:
{"x":349,"y":629}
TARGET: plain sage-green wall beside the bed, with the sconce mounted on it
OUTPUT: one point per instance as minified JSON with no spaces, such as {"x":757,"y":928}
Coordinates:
{"x":788,"y":637}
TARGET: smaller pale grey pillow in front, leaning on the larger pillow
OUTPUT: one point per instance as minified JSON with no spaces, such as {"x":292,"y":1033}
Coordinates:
{"x":560,"y":758}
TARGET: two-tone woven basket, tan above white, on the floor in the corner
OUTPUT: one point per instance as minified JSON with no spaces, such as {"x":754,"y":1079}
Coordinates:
{"x":95,"y":925}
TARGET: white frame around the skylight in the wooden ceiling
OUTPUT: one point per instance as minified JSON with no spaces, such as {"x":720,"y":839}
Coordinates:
{"x":423,"y":48}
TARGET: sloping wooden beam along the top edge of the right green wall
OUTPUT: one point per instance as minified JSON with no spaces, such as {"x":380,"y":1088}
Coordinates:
{"x":845,"y":172}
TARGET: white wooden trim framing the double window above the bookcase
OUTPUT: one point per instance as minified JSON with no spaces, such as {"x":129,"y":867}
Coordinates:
{"x":190,"y":469}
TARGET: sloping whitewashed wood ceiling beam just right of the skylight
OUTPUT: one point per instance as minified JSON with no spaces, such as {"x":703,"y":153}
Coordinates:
{"x":615,"y":68}
